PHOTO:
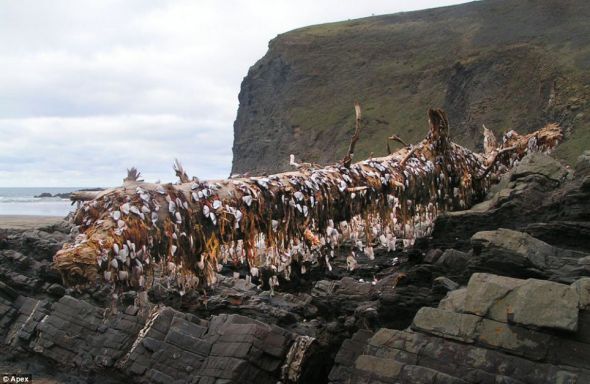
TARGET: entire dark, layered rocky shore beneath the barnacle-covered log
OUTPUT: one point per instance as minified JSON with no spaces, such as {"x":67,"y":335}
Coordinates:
{"x":499,"y":294}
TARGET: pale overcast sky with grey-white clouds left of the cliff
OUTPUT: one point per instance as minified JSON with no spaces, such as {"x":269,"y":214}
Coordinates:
{"x":90,"y":88}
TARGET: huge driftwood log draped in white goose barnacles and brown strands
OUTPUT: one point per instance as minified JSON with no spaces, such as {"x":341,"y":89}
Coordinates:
{"x":187,"y":231}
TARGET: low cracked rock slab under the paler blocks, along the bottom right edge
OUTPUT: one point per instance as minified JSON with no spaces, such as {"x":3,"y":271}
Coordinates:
{"x":500,"y":353}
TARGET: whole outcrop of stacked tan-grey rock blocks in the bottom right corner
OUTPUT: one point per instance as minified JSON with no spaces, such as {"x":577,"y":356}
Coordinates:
{"x":495,"y":330}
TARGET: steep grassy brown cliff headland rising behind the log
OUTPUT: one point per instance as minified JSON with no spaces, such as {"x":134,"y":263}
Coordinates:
{"x":507,"y":64}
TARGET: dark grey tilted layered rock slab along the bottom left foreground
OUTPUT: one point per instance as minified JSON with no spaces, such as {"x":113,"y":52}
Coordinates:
{"x":149,"y":344}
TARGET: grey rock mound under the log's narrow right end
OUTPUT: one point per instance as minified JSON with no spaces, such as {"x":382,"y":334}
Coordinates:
{"x":537,"y":196}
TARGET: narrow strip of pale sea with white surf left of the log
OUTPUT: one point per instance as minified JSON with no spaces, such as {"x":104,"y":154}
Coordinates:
{"x":22,"y":201}
